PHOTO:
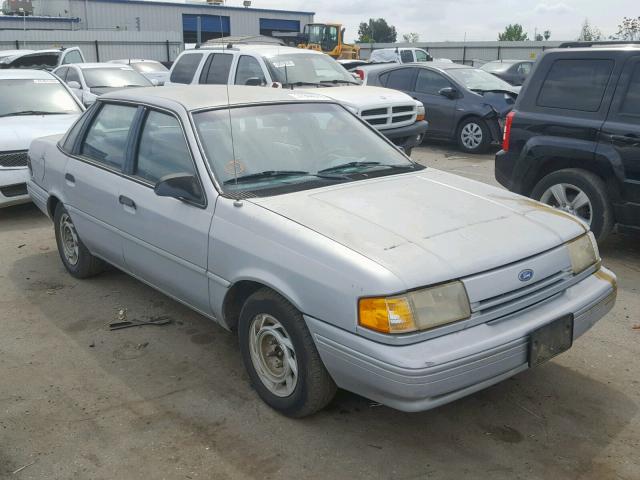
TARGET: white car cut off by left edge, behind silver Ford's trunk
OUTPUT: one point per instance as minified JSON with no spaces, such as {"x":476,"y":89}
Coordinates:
{"x":34,"y":104}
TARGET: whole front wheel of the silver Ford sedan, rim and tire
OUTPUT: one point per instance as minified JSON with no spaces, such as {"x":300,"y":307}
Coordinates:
{"x":280,"y":356}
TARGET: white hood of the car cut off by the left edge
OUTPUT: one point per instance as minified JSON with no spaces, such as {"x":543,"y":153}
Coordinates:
{"x":16,"y":133}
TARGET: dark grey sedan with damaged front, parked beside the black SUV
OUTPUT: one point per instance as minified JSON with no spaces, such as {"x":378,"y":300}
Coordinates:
{"x":463,"y":104}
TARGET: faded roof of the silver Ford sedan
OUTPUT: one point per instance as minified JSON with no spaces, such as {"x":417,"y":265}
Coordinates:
{"x":195,"y":97}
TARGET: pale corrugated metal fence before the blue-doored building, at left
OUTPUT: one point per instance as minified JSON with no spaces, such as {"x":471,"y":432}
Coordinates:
{"x":162,"y":46}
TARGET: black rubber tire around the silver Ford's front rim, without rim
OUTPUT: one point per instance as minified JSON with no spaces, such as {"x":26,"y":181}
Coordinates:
{"x":314,"y":388}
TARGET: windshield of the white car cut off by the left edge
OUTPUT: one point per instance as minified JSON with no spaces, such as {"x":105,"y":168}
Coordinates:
{"x":35,"y":97}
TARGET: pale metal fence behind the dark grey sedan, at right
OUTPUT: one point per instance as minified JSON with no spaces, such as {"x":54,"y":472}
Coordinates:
{"x":471,"y":52}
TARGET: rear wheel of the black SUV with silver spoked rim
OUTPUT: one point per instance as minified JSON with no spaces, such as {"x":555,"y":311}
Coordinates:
{"x":580,"y":193}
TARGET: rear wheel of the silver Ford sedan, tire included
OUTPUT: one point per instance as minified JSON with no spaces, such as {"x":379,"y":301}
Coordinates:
{"x":76,"y":258}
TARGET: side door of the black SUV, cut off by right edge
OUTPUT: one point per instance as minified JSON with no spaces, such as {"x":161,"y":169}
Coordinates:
{"x":620,"y":139}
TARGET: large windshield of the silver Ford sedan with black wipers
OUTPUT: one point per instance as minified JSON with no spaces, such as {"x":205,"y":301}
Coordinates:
{"x":288,"y":147}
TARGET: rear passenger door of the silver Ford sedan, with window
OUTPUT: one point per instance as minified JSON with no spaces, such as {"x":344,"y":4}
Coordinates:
{"x":93,"y":176}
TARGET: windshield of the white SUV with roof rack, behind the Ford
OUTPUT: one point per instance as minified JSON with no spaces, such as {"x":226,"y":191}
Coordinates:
{"x":307,"y":68}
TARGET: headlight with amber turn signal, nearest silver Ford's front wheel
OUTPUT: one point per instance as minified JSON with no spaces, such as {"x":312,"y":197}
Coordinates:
{"x":419,"y":310}
